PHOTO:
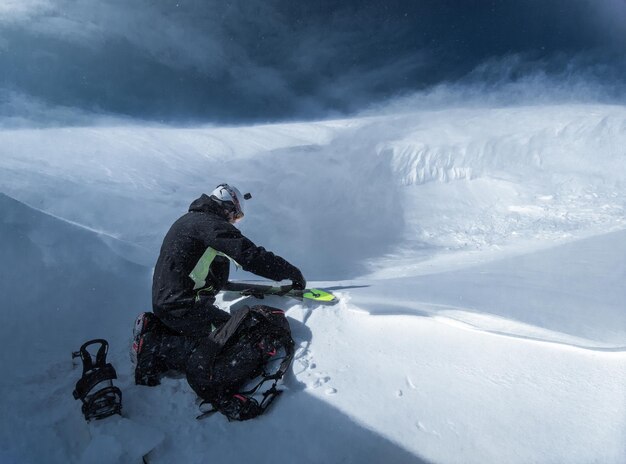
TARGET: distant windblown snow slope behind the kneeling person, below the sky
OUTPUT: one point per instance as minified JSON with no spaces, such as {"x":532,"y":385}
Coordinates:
{"x":511,"y":175}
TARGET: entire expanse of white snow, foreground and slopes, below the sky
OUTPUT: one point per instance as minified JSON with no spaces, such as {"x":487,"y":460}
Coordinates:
{"x":478,"y":254}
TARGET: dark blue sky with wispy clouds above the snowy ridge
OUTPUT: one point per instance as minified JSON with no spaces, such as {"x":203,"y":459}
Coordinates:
{"x":242,"y":61}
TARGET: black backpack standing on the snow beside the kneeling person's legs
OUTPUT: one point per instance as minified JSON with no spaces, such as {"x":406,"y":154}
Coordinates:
{"x":242,"y":350}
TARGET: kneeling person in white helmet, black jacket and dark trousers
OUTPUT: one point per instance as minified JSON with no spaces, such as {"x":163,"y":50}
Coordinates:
{"x":192,"y":268}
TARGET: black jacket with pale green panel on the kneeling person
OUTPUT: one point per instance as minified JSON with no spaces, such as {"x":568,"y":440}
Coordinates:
{"x":201,"y":231}
